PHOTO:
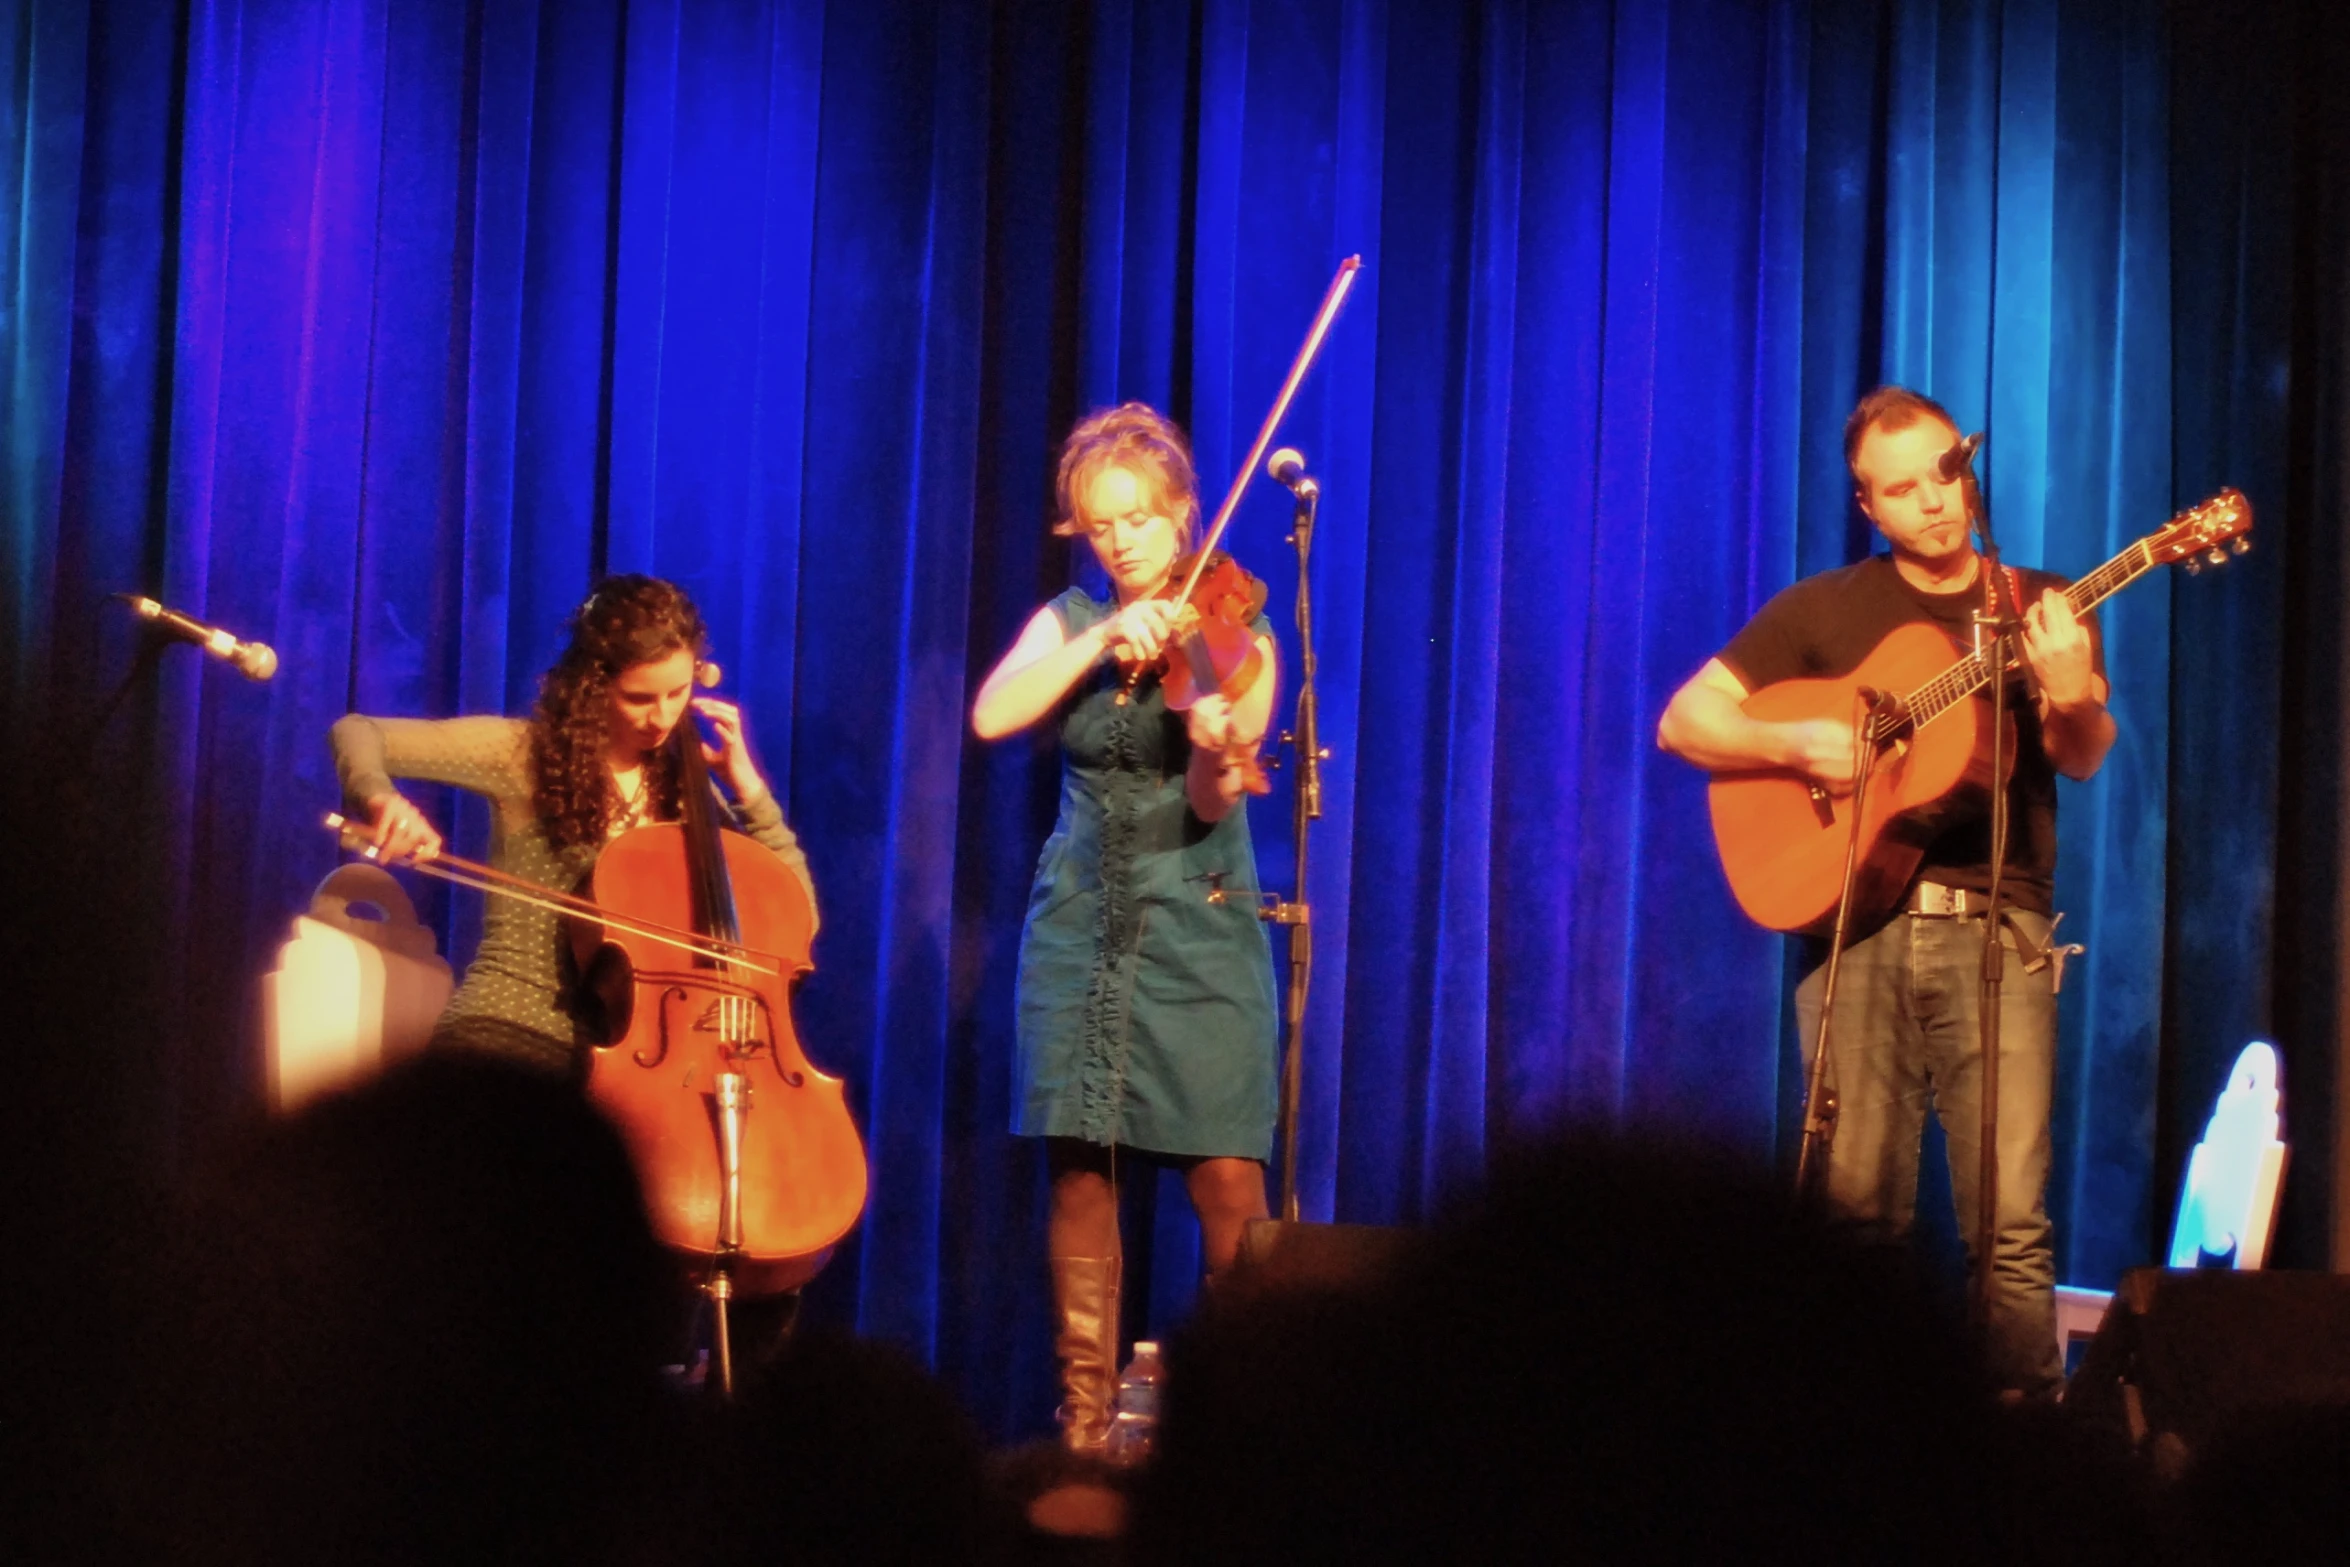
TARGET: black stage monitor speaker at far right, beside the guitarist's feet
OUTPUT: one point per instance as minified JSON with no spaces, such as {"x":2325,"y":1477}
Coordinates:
{"x":2184,"y":1354}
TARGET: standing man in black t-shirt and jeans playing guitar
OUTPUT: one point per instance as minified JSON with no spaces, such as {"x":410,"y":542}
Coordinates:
{"x":1907,"y":1028}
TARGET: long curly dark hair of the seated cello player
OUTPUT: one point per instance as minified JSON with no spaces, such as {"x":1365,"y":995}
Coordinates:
{"x":626,"y":621}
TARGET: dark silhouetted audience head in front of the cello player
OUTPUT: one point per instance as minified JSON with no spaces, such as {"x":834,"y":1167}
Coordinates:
{"x":417,"y":1321}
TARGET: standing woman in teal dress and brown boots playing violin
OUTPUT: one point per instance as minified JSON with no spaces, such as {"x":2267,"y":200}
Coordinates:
{"x":1146,"y":1000}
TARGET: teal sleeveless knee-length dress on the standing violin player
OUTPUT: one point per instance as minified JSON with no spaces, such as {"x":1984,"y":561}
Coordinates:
{"x":1146,"y":1011}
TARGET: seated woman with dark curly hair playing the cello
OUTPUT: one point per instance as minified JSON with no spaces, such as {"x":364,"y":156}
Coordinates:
{"x":589,"y":765}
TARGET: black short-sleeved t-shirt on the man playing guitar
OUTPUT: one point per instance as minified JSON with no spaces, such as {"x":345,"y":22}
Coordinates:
{"x":1829,"y":624}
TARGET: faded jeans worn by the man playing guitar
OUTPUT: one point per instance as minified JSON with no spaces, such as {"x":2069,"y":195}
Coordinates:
{"x":1907,"y":1040}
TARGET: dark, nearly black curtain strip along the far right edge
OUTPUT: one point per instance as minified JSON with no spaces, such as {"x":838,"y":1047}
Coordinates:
{"x":2262,"y":318}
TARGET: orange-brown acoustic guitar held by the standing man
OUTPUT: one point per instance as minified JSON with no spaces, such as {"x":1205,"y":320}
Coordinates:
{"x":1782,"y":838}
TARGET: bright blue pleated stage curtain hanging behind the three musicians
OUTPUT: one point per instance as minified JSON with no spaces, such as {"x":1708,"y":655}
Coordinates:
{"x":380,"y":330}
